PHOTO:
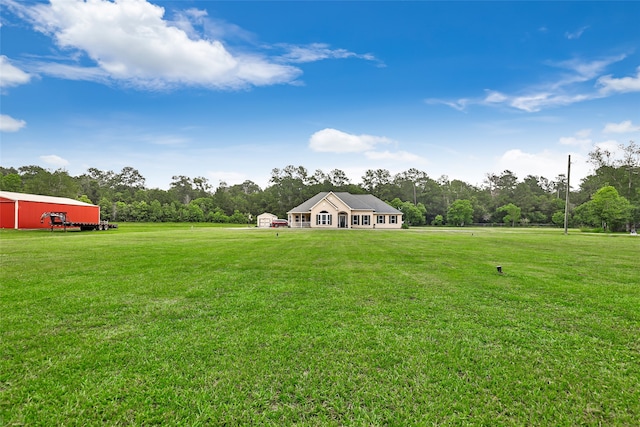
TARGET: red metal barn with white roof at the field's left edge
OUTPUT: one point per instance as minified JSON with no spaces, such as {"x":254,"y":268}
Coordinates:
{"x":23,"y":211}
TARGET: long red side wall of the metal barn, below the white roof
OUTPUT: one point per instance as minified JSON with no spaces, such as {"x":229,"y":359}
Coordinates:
{"x":29,"y":213}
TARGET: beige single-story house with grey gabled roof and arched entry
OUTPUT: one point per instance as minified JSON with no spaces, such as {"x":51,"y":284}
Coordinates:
{"x":344,"y":210}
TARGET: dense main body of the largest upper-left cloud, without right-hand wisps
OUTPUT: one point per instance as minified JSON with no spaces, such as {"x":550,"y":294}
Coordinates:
{"x":131,"y":42}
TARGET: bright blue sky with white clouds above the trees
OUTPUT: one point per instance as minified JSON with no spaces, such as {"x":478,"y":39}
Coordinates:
{"x":230,"y":90}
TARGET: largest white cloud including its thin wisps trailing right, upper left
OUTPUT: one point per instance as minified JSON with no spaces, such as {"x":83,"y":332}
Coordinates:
{"x":131,"y":42}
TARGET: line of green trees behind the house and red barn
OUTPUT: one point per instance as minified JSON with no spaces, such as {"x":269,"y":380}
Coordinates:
{"x":609,"y":198}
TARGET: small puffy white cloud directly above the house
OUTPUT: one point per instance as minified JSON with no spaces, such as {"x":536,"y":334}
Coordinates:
{"x":335,"y":141}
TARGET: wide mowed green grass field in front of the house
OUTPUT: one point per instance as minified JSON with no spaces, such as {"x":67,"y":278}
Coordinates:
{"x":181,"y":325}
